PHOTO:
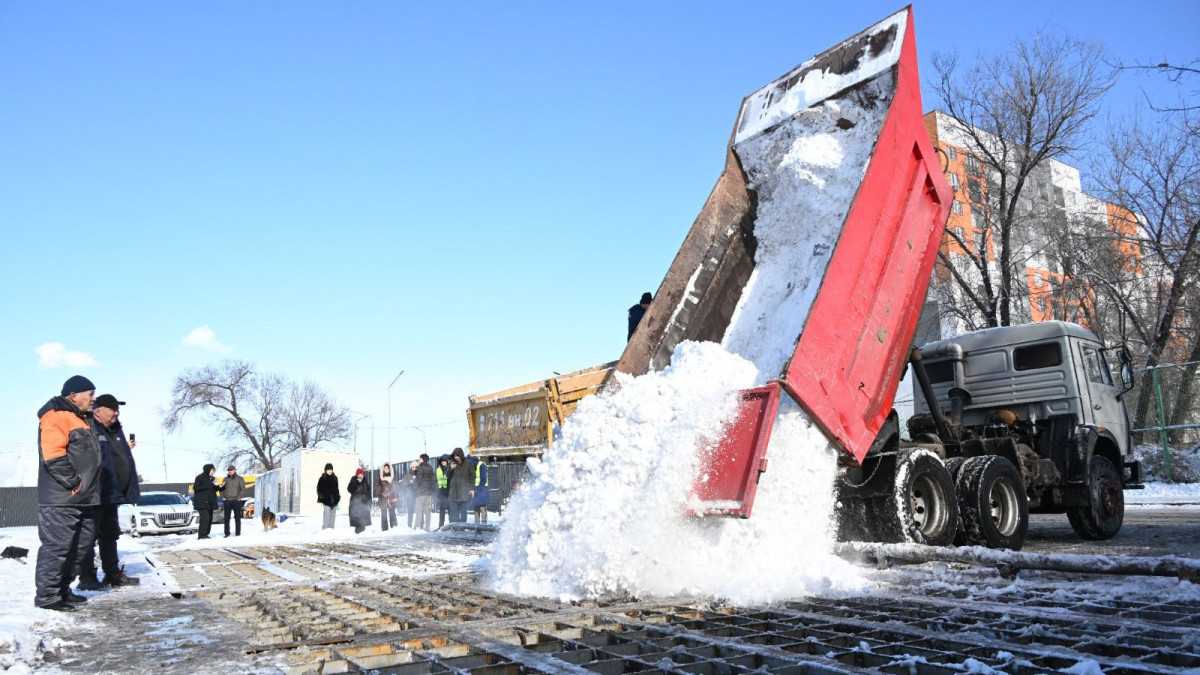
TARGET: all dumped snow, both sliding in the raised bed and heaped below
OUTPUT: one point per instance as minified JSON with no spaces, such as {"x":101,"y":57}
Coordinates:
{"x":603,"y":513}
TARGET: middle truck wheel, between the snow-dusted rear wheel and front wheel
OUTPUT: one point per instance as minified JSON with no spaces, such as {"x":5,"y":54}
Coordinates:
{"x":993,"y":504}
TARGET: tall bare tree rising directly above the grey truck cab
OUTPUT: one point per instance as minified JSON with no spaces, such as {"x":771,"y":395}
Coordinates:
{"x":1018,"y":111}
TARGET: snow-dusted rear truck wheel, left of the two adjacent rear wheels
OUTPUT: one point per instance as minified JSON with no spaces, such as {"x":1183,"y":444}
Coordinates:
{"x":922,"y":509}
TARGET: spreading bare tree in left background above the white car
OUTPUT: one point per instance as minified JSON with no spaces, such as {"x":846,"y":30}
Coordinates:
{"x":262,"y":416}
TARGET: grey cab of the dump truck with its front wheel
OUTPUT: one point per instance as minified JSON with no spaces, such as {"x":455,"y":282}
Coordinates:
{"x":1042,"y":396}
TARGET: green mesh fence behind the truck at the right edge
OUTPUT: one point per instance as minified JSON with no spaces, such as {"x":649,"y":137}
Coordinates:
{"x":1172,"y":419}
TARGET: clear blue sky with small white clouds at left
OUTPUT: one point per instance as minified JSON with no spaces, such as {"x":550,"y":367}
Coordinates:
{"x":471,"y":193}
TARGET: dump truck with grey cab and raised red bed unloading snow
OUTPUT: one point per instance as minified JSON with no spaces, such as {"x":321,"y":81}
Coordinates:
{"x":835,"y":334}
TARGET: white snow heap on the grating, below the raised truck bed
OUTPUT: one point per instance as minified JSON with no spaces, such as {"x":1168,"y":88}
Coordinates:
{"x":604,"y":513}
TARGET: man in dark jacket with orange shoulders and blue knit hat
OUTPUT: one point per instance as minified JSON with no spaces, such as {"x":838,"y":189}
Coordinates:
{"x":68,"y":492}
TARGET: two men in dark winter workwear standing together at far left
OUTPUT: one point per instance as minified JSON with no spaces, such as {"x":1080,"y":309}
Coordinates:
{"x":87,"y":471}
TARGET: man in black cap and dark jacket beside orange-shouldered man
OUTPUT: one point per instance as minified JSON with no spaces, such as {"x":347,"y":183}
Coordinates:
{"x":118,"y":486}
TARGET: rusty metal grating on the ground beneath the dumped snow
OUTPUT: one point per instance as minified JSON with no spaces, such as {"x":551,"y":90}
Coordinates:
{"x":337,"y":608}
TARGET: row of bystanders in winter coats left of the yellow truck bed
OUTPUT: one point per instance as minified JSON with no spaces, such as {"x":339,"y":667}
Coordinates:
{"x":457,"y":485}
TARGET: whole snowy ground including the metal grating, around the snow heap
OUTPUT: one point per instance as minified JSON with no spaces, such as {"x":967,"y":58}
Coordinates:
{"x":349,"y":595}
